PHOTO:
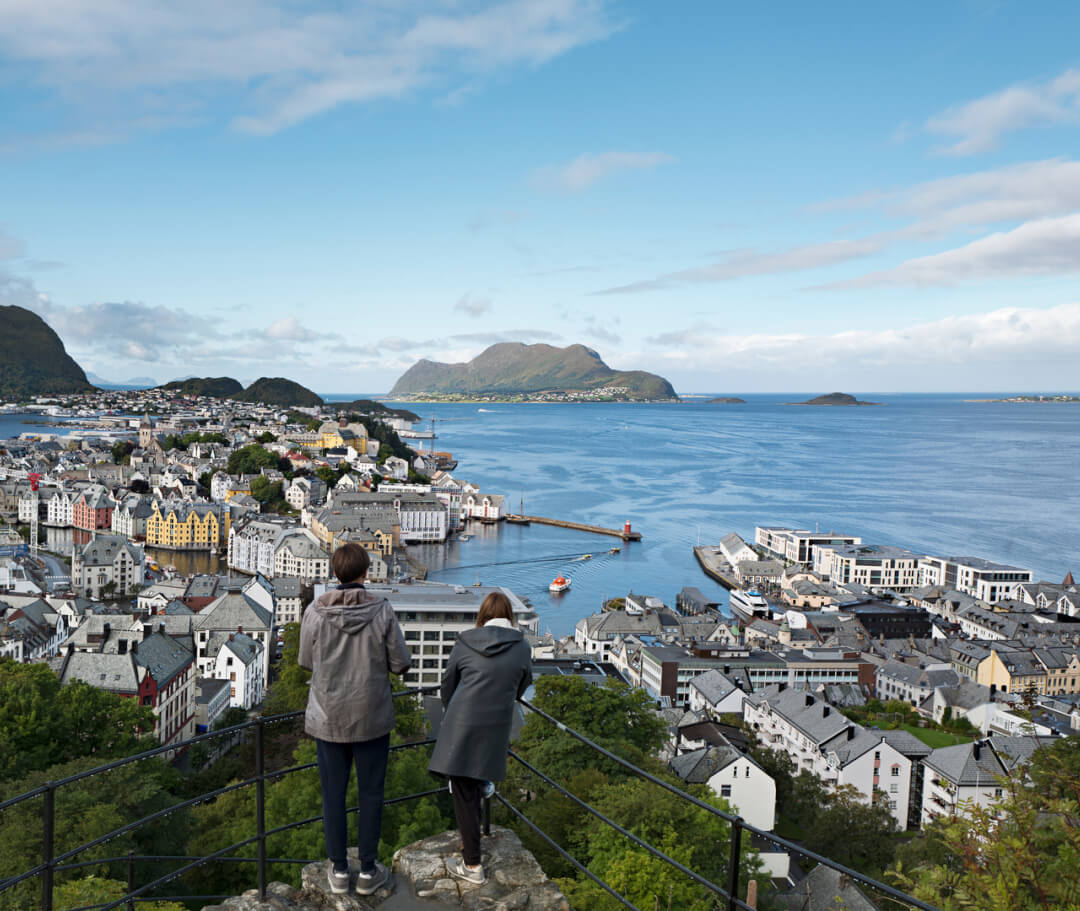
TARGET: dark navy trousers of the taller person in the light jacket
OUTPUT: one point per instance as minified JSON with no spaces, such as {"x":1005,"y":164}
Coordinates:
{"x":370,"y":757}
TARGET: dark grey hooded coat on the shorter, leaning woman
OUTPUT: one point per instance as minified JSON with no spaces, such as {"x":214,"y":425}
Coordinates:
{"x":489,"y":670}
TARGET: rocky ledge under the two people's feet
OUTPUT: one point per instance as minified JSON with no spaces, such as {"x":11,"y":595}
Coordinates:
{"x":515,"y":883}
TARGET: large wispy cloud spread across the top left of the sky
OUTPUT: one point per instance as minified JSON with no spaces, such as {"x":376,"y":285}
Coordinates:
{"x":150,"y":63}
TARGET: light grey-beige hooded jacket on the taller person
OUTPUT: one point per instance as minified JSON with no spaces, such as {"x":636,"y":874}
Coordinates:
{"x":352,"y":644}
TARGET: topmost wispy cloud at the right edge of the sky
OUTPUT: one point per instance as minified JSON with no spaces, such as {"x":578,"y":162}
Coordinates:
{"x":978,"y":126}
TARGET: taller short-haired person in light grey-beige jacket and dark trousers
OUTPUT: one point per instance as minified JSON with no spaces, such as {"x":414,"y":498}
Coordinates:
{"x":352,"y":643}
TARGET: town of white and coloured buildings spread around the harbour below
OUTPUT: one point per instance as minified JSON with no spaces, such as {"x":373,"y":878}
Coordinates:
{"x":921,"y":682}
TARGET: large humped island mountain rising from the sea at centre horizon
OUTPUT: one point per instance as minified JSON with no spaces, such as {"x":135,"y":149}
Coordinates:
{"x":512,"y":369}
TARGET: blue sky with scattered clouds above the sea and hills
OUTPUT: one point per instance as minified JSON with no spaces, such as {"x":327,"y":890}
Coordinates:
{"x":776,"y":197}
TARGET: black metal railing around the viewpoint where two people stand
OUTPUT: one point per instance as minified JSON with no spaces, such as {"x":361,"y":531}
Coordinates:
{"x":728,"y":894}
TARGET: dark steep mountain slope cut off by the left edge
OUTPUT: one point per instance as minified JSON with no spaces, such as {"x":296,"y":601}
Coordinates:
{"x":33,"y":360}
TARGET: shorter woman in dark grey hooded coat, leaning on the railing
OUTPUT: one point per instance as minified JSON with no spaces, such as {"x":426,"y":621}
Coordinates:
{"x":490,"y":669}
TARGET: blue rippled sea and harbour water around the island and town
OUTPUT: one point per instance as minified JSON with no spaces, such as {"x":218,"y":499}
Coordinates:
{"x":938,"y":474}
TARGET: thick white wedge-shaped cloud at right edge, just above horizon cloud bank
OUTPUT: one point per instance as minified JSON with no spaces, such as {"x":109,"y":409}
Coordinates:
{"x":1050,"y":247}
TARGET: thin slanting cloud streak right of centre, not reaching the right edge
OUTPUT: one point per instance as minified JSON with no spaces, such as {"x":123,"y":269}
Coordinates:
{"x":744,"y":264}
